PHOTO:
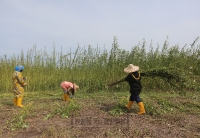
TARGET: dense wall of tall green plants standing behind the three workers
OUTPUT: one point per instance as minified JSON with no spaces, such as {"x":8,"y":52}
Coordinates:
{"x":168,"y":67}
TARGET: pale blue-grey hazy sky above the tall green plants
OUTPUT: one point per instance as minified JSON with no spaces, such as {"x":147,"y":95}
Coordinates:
{"x":69,"y":23}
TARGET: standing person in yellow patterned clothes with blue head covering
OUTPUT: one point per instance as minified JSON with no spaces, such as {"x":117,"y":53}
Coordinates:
{"x":18,"y":85}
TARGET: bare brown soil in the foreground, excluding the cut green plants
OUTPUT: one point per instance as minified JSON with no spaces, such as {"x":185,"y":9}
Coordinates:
{"x":94,"y":121}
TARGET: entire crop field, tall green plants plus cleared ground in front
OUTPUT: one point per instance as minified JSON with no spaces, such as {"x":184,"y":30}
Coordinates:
{"x":170,"y":79}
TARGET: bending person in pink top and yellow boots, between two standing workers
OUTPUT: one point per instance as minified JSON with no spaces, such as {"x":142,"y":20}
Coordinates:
{"x":68,"y":89}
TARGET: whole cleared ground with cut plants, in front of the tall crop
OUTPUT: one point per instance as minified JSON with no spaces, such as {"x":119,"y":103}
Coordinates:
{"x":100,"y":114}
